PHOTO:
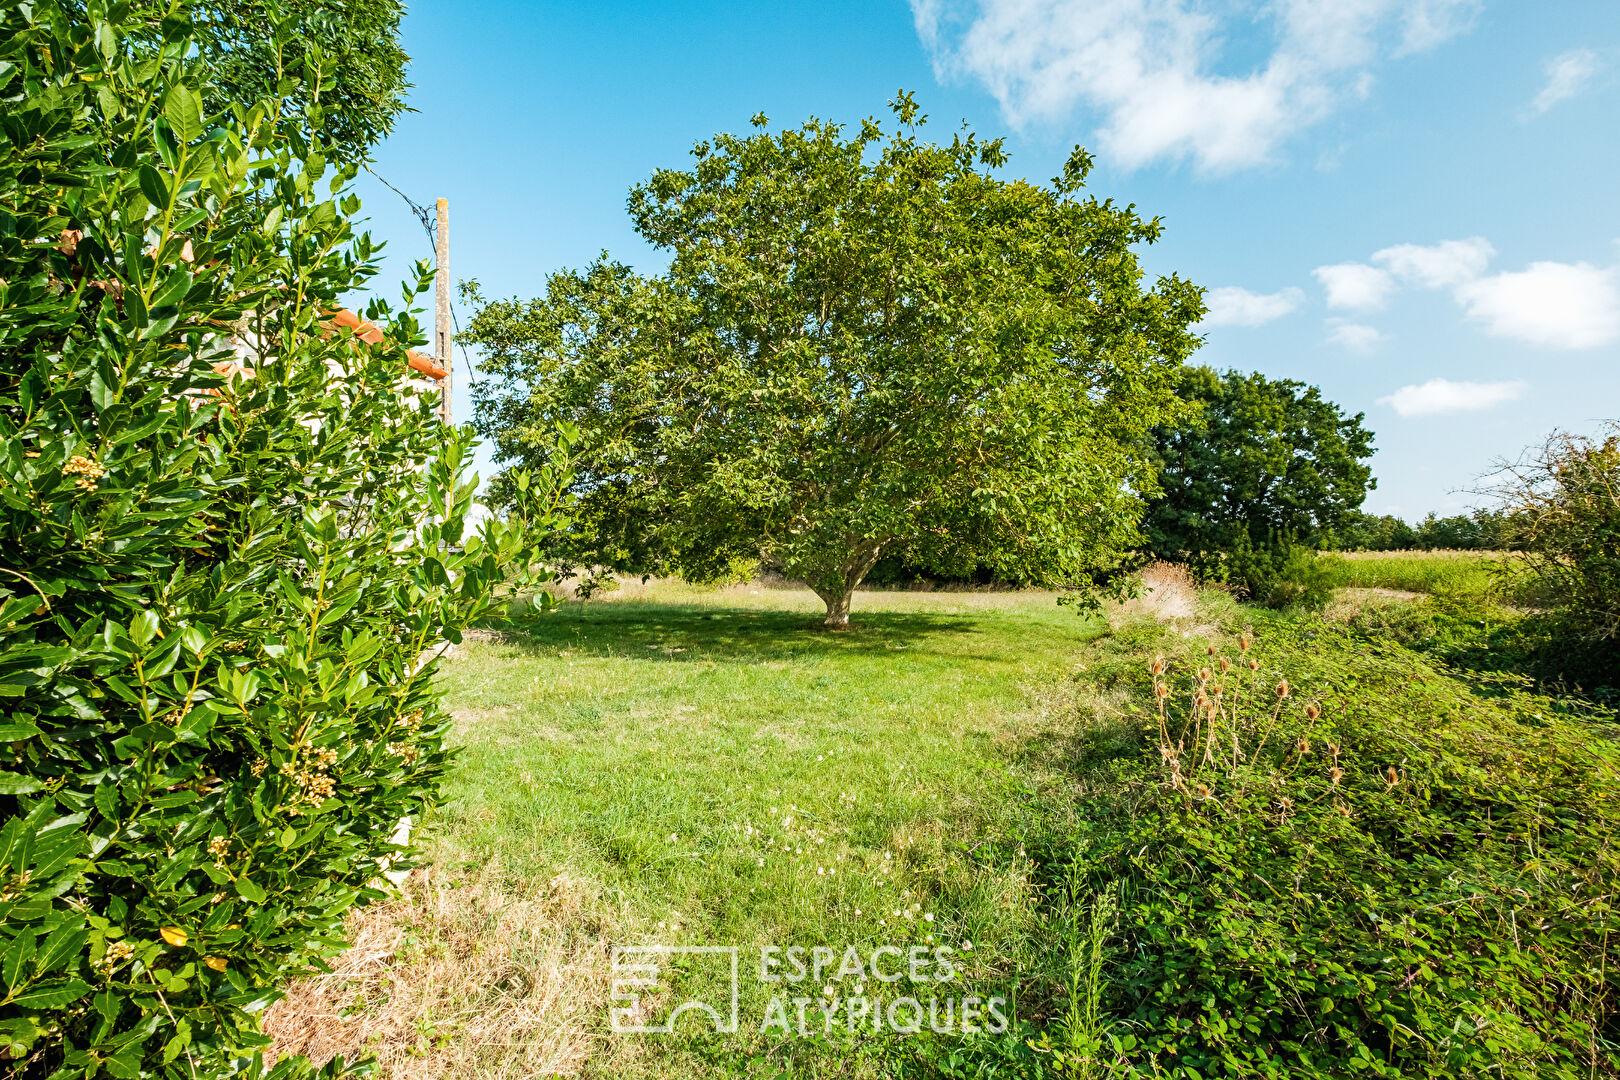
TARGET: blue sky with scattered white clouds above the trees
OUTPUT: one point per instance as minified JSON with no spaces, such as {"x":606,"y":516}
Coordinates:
{"x":1409,"y":203}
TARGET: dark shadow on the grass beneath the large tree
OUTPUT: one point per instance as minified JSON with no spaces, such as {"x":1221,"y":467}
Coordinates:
{"x":730,"y":636}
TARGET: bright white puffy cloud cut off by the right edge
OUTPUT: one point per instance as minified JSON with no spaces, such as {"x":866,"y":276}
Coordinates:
{"x":1562,"y":305}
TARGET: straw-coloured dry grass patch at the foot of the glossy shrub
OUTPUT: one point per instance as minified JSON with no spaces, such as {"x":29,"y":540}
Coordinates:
{"x":461,"y":977}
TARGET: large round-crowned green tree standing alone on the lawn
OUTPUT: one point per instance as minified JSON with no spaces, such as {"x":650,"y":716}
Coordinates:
{"x":864,"y":344}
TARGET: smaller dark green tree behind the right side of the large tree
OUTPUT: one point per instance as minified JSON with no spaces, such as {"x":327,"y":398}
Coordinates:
{"x":1253,"y":464}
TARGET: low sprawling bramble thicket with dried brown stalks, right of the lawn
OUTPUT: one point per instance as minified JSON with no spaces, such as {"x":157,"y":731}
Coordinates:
{"x":1441,"y":906}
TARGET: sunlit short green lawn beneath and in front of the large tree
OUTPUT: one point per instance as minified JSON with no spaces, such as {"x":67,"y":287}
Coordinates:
{"x":717,"y":770}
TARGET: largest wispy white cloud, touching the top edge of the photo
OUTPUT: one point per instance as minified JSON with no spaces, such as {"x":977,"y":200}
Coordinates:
{"x":1151,"y":67}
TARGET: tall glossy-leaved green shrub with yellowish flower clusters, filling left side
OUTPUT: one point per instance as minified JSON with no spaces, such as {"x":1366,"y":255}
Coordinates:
{"x":215,"y":587}
